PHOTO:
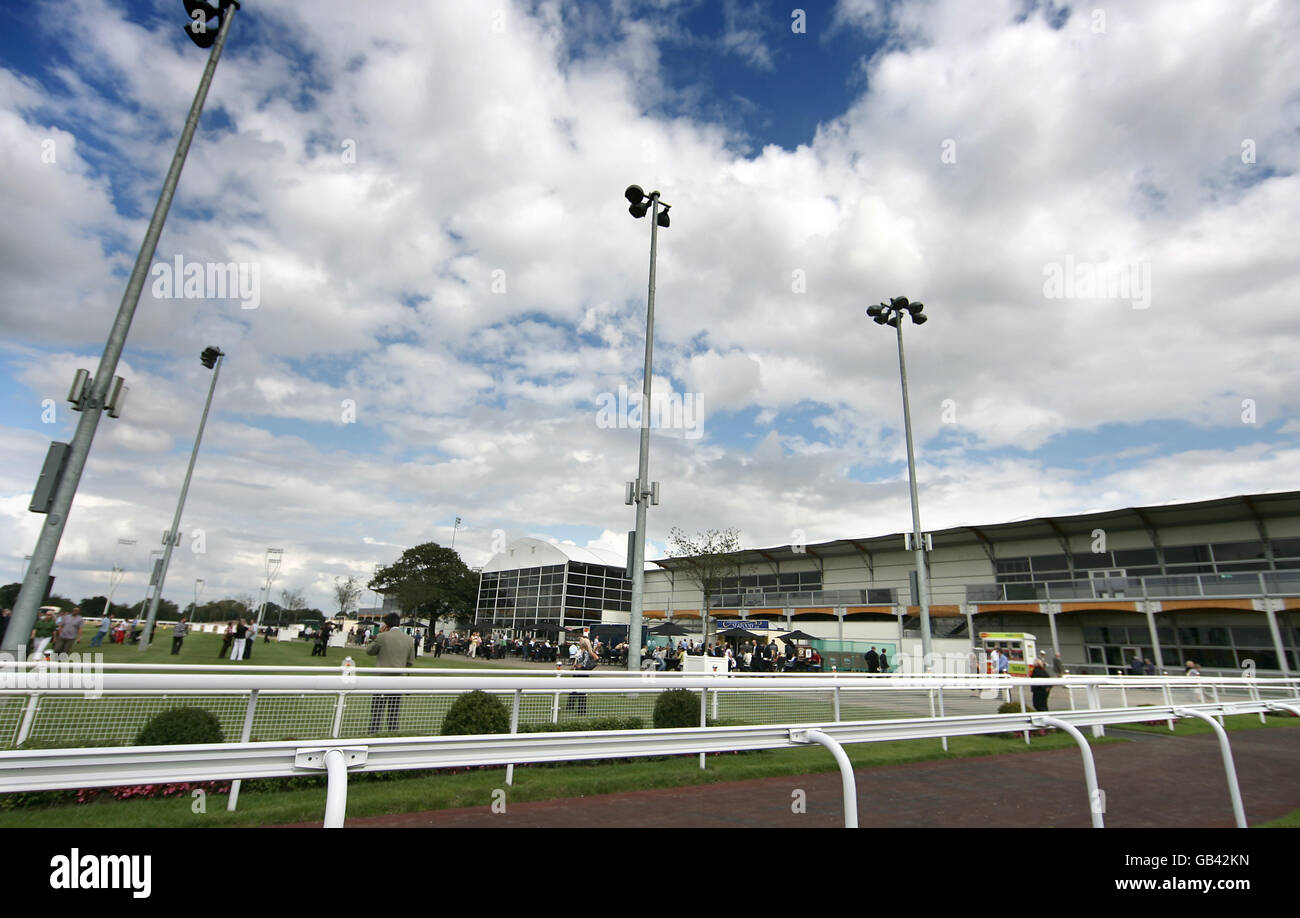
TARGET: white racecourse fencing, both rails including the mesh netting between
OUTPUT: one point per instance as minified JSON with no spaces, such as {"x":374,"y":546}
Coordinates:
{"x":785,"y":712}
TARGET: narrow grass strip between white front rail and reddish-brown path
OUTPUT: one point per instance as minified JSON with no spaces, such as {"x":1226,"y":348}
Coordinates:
{"x":475,"y":787}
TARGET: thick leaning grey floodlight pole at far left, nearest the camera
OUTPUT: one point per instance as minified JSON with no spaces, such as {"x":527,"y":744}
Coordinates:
{"x":96,"y":397}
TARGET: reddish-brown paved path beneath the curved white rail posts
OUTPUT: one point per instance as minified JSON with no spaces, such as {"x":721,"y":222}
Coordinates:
{"x":1152,"y":782}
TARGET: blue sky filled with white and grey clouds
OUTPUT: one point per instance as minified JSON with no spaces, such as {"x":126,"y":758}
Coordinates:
{"x":445,"y":296}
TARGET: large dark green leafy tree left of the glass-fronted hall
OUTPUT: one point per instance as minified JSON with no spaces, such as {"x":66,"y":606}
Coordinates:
{"x":430,"y":582}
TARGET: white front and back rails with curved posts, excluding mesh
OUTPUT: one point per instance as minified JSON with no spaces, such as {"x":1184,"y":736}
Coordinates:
{"x":59,"y":769}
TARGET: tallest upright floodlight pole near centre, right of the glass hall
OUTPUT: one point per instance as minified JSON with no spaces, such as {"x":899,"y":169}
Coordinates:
{"x":643,"y":492}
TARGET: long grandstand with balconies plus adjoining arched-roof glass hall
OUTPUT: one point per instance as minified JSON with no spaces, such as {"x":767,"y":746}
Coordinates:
{"x":1216,"y":582}
